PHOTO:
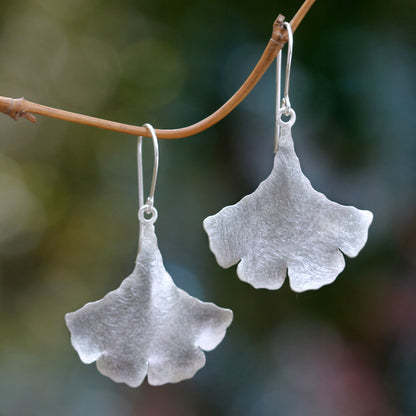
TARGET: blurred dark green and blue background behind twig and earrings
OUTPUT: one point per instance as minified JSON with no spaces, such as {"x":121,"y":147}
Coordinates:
{"x":68,"y":199}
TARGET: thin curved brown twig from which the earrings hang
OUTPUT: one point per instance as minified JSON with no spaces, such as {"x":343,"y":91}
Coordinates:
{"x":18,"y":108}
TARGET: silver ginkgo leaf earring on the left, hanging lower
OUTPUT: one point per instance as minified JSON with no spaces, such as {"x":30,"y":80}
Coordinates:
{"x":148,"y":325}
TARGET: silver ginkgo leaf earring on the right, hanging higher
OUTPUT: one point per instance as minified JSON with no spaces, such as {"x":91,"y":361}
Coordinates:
{"x":286,"y":225}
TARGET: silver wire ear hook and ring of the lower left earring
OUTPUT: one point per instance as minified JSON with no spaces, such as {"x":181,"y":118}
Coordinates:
{"x":148,"y":207}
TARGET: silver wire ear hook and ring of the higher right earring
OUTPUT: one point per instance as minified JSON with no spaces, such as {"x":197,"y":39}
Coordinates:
{"x":284,"y":106}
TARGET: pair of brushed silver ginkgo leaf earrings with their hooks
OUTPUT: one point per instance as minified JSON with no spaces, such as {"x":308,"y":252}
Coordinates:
{"x":148,"y":326}
